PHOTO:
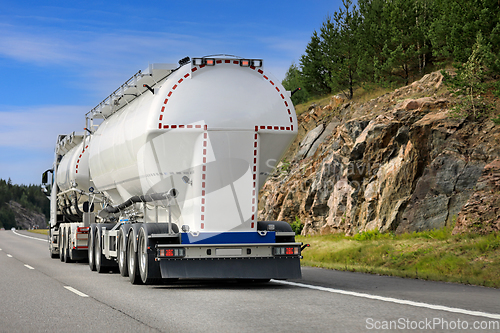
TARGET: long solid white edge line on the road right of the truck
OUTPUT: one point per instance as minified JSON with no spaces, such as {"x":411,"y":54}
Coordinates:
{"x":393,"y":300}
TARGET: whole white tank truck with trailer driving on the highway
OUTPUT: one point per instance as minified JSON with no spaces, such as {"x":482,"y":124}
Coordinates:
{"x":163,"y":182}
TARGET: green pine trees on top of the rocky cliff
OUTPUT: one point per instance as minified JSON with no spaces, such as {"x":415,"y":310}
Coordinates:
{"x":389,"y":42}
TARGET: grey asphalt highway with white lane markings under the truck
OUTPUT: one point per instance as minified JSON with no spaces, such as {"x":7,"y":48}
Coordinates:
{"x":39,"y":294}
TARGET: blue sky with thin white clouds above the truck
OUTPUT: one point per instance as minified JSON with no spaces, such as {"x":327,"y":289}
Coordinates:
{"x":59,"y":59}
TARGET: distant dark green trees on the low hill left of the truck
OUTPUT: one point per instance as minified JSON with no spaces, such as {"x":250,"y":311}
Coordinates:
{"x":30,"y":197}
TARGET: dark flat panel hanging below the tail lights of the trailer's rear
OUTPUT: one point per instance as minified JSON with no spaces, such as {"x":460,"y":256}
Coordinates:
{"x":232,"y":268}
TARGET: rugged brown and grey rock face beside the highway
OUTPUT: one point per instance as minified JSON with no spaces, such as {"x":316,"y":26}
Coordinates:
{"x":397,"y":163}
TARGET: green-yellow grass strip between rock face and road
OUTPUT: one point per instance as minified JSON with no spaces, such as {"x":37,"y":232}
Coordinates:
{"x":431,"y":255}
